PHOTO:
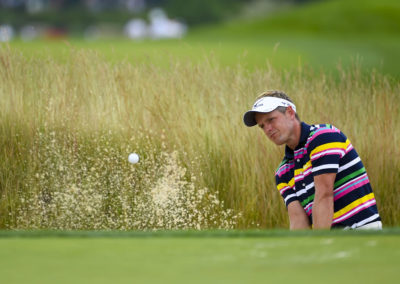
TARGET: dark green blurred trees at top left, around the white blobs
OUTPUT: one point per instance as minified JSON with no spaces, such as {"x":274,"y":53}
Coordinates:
{"x":74,"y":15}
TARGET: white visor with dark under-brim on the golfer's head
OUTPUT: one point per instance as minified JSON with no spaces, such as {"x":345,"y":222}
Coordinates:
{"x":264,"y":105}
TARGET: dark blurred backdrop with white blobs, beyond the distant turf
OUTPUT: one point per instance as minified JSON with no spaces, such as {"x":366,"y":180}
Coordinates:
{"x":30,"y":19}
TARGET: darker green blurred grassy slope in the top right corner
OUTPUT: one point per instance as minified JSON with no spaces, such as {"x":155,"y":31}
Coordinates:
{"x":334,"y":17}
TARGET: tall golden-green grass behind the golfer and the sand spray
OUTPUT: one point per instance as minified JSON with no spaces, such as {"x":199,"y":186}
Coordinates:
{"x":67,"y":128}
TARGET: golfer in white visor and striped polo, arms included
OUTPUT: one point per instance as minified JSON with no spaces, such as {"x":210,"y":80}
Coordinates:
{"x":321,"y":177}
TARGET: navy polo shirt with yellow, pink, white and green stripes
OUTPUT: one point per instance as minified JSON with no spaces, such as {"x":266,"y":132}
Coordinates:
{"x":325,"y":149}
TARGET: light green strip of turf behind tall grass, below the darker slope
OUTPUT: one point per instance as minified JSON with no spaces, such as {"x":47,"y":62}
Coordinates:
{"x":283,"y":51}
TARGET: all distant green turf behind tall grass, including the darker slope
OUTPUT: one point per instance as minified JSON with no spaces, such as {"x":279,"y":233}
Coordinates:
{"x":320,"y":35}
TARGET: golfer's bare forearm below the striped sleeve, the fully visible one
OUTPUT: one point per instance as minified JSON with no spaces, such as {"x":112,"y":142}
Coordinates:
{"x":323,"y":201}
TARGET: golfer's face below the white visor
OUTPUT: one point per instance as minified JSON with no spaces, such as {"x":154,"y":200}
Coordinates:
{"x":277,"y":126}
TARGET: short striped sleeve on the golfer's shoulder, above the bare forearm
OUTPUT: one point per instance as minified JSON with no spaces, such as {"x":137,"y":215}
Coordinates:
{"x":327,"y":146}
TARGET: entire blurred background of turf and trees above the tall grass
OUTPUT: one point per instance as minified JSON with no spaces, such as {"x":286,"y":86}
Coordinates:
{"x":322,"y":34}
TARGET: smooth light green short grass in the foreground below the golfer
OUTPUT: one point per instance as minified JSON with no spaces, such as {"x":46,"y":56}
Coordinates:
{"x":200,"y":257}
